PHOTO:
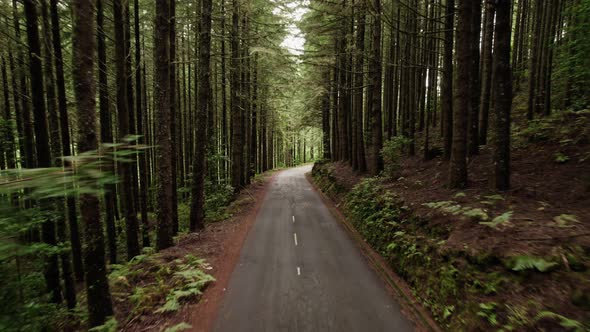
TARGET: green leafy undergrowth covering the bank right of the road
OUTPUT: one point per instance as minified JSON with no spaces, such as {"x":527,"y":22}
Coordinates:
{"x":463,"y":291}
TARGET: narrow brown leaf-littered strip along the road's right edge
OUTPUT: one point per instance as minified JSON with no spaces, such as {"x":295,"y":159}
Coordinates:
{"x":399,"y":289}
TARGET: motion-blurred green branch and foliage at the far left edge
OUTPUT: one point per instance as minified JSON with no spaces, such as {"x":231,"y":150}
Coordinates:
{"x":24,"y":303}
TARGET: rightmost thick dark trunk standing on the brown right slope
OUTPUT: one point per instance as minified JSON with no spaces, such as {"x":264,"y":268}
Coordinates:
{"x":502,"y":95}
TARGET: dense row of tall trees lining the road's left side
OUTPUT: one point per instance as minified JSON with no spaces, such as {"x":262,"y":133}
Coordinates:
{"x":190,"y":105}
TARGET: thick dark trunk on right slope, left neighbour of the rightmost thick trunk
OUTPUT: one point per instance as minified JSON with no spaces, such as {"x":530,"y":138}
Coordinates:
{"x":458,"y":165}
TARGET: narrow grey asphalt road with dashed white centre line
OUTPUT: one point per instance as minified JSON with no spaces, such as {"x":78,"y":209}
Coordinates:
{"x":300,"y":271}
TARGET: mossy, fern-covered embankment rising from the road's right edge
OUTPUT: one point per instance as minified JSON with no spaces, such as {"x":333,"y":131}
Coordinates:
{"x":467,"y":287}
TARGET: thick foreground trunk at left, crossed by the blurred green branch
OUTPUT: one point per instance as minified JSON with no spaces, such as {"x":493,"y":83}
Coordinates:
{"x":97,"y":286}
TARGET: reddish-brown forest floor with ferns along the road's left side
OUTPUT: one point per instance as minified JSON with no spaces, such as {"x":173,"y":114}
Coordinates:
{"x":219,"y":245}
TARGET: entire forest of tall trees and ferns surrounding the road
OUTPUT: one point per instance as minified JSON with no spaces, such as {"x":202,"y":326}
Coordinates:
{"x":454,"y":135}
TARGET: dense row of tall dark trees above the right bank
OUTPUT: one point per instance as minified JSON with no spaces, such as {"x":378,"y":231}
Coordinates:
{"x":447,"y":74}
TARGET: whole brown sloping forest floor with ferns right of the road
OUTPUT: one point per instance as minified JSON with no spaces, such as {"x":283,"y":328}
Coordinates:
{"x":516,"y":260}
